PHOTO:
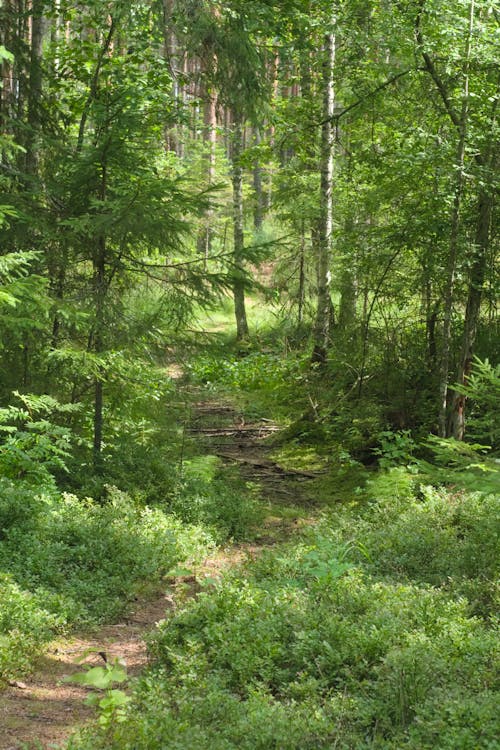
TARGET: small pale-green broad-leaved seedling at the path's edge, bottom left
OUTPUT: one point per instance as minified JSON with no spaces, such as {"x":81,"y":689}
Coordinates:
{"x":110,"y":701}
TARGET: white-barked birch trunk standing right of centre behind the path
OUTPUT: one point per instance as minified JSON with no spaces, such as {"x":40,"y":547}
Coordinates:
{"x":321,"y":333}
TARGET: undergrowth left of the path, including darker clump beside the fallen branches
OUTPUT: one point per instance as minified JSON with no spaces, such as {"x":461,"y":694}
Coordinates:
{"x":68,"y":562}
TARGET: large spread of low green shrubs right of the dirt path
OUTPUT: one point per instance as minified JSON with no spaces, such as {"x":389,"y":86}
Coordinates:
{"x":375,"y":629}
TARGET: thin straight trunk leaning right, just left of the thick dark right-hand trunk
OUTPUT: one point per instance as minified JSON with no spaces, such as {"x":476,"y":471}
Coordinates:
{"x":454,"y":235}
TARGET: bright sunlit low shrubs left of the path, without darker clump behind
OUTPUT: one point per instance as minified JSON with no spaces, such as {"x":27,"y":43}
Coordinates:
{"x":68,"y":562}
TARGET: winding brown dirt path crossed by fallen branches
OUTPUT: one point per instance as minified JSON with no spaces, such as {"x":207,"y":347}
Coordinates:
{"x":43,"y":711}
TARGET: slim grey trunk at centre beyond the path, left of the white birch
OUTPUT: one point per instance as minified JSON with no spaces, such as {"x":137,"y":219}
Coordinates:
{"x":239,"y":282}
